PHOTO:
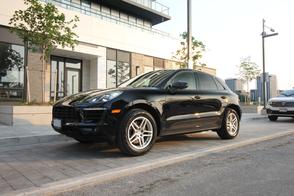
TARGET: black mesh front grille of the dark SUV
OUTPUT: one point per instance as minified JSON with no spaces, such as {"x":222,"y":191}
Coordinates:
{"x":66,"y":113}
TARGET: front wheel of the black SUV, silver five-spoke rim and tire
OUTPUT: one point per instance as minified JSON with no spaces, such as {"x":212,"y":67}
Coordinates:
{"x":130,"y":139}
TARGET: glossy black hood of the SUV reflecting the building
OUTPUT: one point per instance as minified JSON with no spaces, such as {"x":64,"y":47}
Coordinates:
{"x":84,"y":97}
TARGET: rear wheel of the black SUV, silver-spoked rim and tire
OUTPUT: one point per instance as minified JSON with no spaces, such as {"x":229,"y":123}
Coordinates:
{"x":228,"y":131}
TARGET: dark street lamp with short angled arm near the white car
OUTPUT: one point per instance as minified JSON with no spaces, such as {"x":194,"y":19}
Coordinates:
{"x":265,"y":35}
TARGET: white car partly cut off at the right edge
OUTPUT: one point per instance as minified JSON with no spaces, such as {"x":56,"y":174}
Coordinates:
{"x":281,"y":106}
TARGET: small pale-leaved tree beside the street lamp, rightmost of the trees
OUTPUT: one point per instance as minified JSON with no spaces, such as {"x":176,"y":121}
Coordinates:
{"x":248,"y":71}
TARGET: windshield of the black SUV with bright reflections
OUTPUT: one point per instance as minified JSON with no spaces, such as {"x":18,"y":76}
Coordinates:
{"x":150,"y":79}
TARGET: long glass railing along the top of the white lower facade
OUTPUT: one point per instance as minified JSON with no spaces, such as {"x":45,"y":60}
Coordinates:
{"x":103,"y":16}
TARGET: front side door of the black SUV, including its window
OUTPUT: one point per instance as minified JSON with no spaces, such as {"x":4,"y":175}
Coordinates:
{"x":179,"y":108}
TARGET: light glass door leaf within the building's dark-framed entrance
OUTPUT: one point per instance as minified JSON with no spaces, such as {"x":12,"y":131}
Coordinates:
{"x":72,"y":81}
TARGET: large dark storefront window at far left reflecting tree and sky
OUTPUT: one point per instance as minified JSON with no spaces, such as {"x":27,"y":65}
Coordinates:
{"x":11,"y":72}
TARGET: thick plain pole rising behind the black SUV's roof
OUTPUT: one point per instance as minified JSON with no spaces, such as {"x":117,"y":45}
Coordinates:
{"x":189,"y":34}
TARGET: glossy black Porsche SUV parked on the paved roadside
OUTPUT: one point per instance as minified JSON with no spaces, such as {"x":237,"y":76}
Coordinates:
{"x":149,"y":106}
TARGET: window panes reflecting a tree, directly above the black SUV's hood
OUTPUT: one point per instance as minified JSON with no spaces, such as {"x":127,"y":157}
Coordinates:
{"x":118,"y":67}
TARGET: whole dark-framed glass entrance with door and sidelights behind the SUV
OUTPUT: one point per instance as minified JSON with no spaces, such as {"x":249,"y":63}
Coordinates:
{"x":65,"y":76}
